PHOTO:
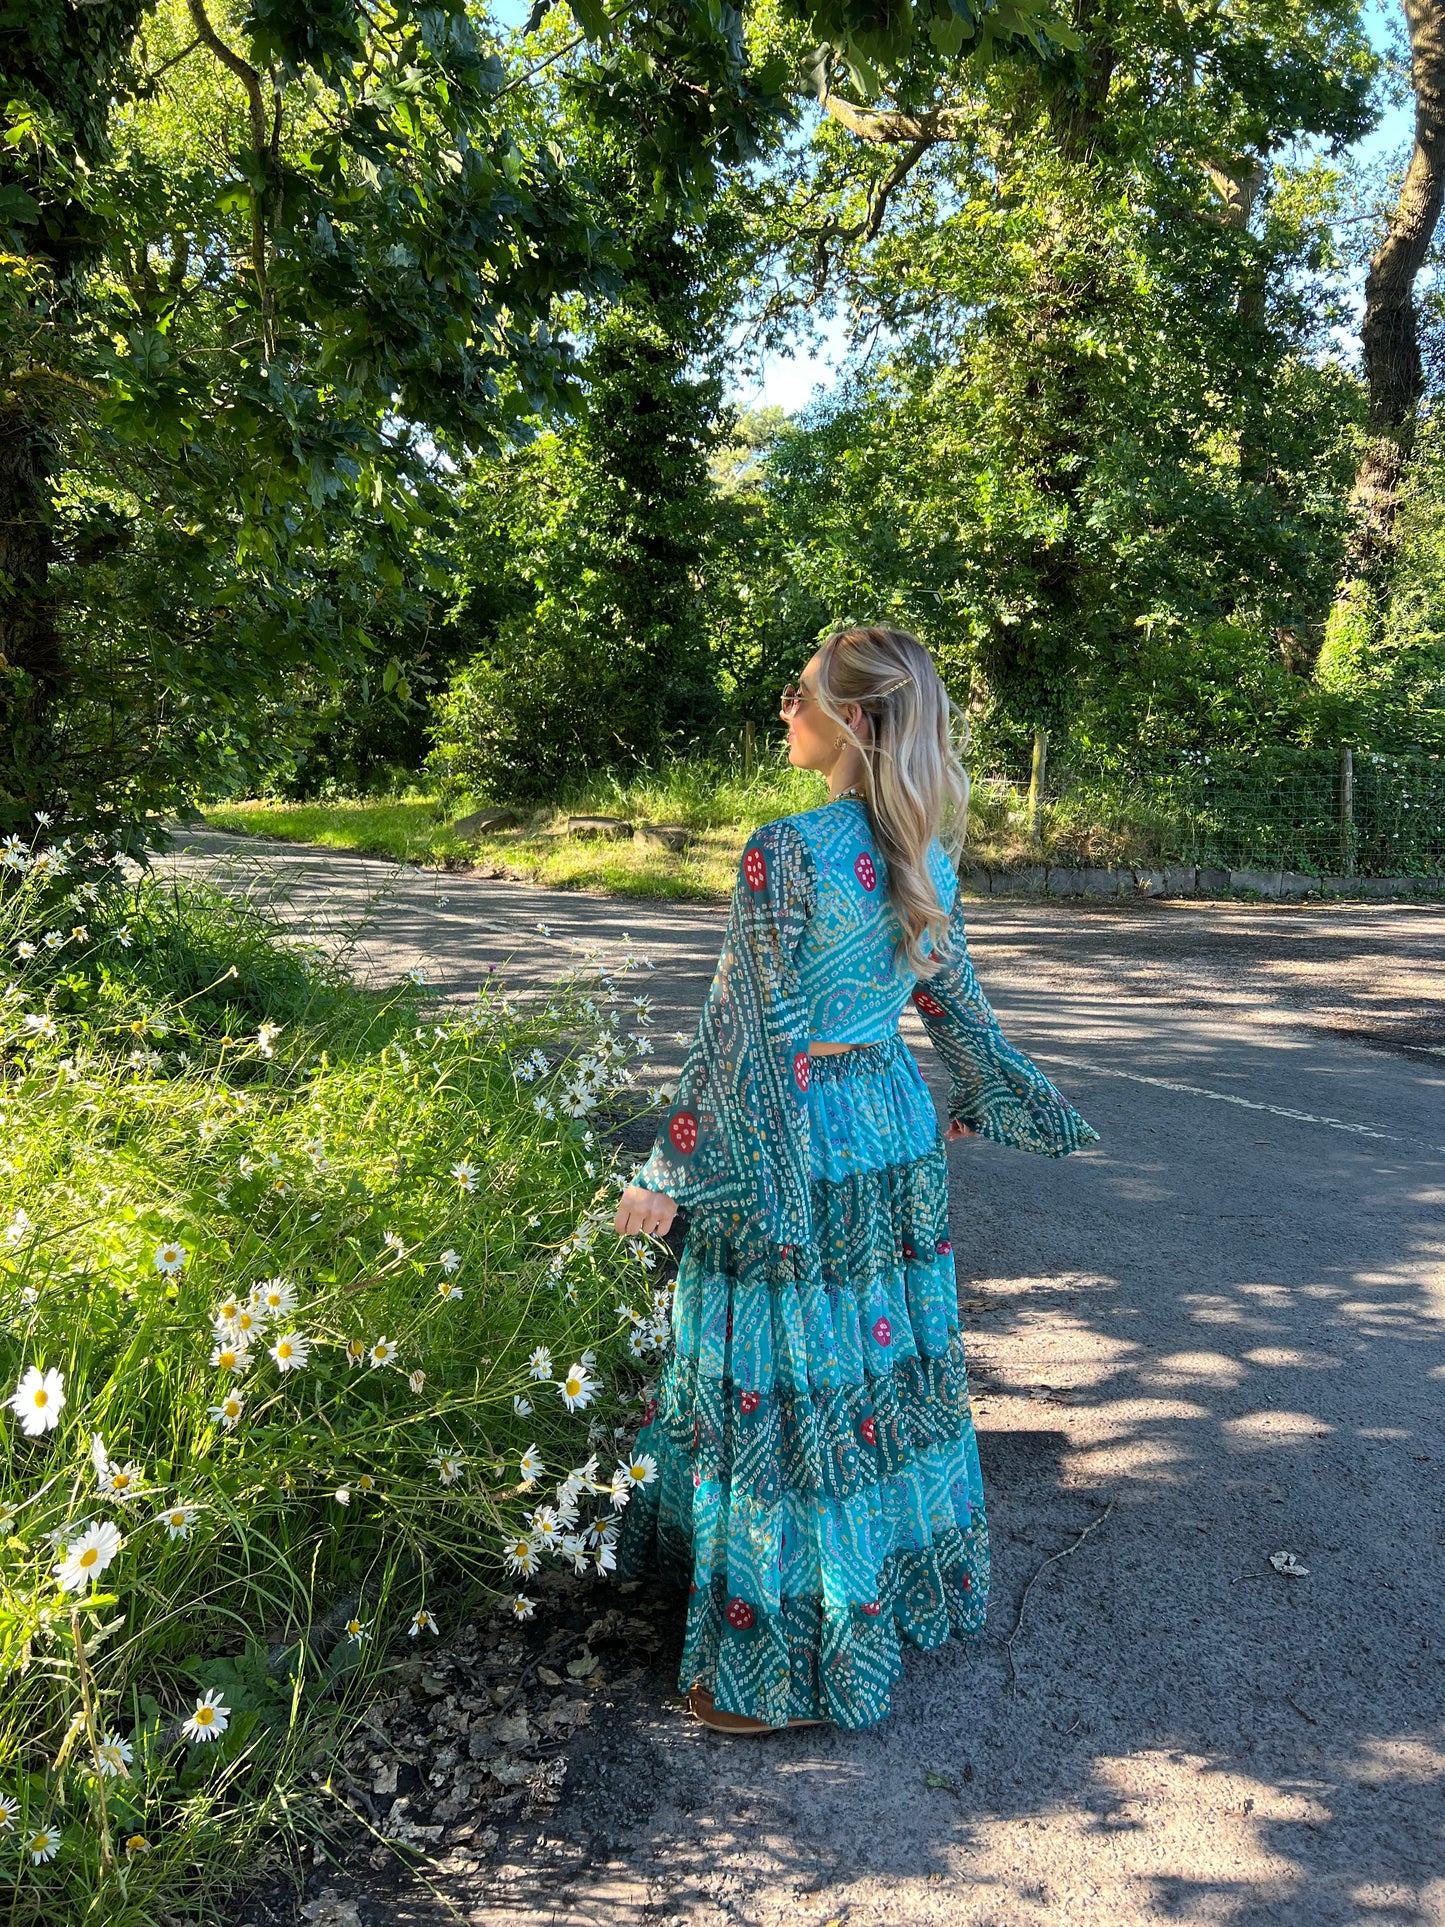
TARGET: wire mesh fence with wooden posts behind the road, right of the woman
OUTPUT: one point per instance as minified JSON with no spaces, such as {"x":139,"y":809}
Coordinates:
{"x":1334,"y":814}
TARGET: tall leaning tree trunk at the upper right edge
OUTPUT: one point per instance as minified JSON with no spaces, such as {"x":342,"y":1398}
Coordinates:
{"x":1390,"y":330}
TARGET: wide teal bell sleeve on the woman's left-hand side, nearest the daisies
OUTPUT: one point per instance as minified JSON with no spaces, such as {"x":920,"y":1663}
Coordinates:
{"x":735,"y":1144}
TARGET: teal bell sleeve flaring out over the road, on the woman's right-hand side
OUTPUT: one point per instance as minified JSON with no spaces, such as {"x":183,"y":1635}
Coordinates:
{"x":991,"y":1086}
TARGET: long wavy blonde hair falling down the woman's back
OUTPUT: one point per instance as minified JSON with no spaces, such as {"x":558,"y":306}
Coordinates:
{"x":914,"y":783}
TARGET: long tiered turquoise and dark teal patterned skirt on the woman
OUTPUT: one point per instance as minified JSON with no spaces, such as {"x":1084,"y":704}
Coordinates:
{"x":820,"y":1489}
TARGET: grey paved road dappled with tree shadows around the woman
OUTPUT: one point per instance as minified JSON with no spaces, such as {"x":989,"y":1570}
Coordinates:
{"x":1217,"y":1336}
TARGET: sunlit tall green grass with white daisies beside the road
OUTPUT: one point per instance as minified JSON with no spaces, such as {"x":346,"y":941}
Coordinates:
{"x":201,"y":1122}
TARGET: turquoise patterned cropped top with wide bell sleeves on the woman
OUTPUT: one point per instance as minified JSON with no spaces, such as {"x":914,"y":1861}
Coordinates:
{"x":810,"y":953}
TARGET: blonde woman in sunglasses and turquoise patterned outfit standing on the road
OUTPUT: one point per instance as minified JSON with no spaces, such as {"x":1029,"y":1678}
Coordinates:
{"x":818,"y":1471}
